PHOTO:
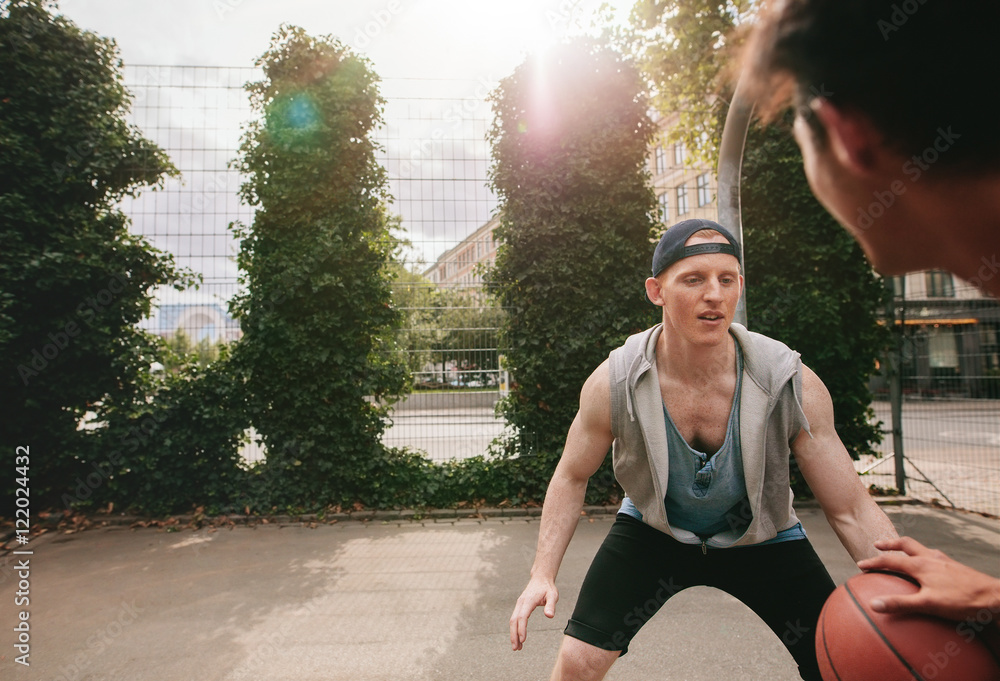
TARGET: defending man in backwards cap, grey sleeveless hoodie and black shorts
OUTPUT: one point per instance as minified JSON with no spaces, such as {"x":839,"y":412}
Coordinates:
{"x":703,"y":416}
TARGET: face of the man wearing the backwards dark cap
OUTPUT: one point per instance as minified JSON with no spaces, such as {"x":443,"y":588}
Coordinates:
{"x":699,"y":294}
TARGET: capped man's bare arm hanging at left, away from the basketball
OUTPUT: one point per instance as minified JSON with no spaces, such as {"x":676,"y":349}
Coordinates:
{"x":587,"y":445}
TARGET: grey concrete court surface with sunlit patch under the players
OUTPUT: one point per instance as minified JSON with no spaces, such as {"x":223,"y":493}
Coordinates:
{"x":404,"y":600}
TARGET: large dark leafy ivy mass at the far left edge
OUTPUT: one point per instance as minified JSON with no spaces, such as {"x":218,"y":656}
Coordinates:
{"x":74,"y":280}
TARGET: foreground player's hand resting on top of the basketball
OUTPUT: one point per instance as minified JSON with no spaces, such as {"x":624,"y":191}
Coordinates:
{"x":948,"y":588}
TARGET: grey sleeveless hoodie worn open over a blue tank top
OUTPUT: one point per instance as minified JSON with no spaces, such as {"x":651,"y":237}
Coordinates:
{"x":771,"y":417}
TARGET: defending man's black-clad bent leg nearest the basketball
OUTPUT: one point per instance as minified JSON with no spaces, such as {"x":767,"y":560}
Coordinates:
{"x":786,"y":584}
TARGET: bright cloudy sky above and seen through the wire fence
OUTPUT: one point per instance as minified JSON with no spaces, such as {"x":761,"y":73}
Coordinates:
{"x":465,"y":46}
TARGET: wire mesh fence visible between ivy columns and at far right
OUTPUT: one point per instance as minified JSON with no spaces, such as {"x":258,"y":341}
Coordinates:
{"x":437,"y":159}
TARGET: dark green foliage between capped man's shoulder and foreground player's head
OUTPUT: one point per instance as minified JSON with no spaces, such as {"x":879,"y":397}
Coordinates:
{"x":810,"y":284}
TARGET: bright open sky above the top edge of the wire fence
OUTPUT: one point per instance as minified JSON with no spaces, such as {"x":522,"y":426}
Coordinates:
{"x":404,"y":38}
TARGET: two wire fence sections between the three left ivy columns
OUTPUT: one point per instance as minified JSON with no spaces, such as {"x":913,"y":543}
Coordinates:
{"x":435,"y":152}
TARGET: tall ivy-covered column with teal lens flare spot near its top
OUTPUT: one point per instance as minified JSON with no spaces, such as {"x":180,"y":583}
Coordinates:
{"x":319,"y":326}
